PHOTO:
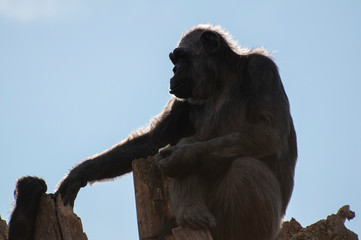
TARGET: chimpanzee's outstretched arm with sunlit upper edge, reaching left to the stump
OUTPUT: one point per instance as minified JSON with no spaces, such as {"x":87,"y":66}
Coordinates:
{"x":171,"y":125}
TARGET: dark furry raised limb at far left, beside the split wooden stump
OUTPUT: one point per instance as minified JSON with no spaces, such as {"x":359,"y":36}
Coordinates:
{"x":27,"y":194}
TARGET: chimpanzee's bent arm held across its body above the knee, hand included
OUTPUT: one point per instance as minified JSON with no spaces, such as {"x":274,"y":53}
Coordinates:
{"x":258,"y":141}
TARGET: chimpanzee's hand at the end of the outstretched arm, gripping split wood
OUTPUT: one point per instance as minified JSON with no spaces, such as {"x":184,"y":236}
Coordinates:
{"x":69,"y":188}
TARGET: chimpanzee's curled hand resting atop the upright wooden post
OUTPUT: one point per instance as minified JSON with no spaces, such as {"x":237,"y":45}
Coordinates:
{"x":176,"y":161}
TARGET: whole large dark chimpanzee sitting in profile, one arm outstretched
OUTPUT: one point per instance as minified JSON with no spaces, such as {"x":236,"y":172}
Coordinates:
{"x":232,"y":150}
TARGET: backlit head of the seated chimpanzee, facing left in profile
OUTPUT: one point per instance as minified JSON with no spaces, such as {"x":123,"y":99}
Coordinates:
{"x":200,"y":60}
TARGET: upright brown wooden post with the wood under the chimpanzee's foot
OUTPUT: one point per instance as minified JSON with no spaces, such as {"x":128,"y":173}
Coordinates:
{"x":155,"y":216}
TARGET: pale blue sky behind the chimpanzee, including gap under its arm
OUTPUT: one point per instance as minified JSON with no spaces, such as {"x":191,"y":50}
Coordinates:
{"x":78,"y":76}
